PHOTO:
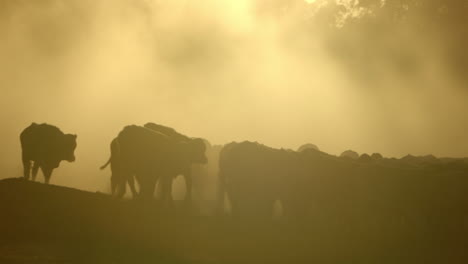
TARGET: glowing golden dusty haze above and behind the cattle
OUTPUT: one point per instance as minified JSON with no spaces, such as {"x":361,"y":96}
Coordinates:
{"x":219,"y":69}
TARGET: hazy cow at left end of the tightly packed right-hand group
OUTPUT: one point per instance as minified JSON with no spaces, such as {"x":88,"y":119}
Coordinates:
{"x":254,"y":177}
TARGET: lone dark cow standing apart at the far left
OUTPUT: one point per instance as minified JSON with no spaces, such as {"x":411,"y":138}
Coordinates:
{"x":46,"y":146}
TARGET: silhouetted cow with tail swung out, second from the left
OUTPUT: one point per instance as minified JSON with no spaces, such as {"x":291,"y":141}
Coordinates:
{"x":151,"y":156}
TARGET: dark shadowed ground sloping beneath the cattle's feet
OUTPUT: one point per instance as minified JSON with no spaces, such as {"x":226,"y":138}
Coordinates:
{"x":51,"y":224}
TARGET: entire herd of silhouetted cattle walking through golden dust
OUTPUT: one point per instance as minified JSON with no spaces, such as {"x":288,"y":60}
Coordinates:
{"x":307,"y":183}
